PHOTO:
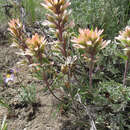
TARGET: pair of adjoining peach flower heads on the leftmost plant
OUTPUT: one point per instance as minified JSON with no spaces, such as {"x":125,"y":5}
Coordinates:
{"x":29,"y":46}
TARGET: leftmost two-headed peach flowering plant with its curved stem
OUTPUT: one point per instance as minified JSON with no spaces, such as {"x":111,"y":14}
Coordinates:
{"x":33,"y":48}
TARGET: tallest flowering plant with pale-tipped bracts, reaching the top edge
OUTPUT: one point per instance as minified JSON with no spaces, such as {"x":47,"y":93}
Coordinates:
{"x":58,"y":21}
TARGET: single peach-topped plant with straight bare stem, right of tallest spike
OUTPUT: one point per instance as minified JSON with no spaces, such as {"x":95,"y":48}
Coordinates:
{"x":91,"y":42}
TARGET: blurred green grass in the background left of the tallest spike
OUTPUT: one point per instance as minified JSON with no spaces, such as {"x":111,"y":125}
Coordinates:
{"x":34,"y":11}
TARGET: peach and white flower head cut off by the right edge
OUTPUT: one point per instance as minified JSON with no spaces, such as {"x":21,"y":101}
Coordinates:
{"x":124,"y":38}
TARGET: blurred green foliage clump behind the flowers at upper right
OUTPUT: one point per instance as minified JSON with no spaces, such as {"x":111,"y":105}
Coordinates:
{"x":110,"y":15}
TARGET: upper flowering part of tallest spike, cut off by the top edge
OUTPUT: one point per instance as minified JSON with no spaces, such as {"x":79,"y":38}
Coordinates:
{"x":59,"y":15}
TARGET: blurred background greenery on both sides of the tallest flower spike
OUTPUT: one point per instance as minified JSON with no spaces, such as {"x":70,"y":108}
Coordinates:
{"x":110,"y":15}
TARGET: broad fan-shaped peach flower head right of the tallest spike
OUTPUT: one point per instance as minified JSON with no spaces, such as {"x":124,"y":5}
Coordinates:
{"x":90,"y":40}
